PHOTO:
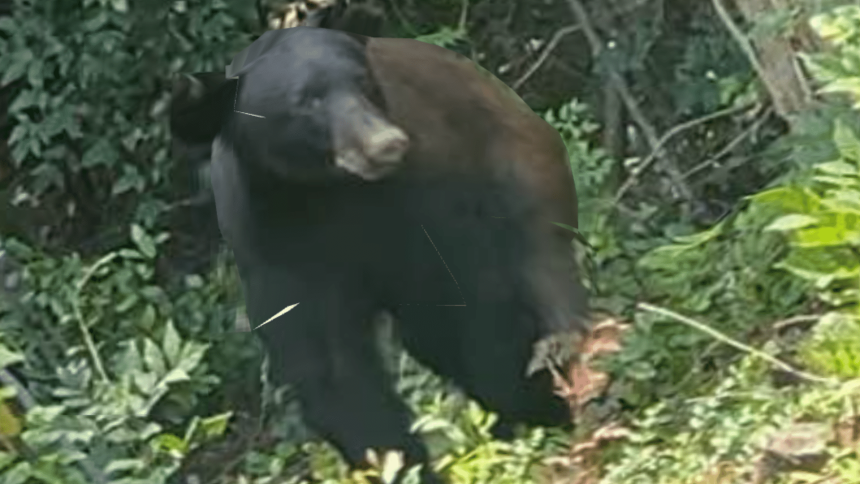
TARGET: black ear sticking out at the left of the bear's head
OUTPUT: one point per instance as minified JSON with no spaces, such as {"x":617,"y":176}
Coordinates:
{"x":198,"y":105}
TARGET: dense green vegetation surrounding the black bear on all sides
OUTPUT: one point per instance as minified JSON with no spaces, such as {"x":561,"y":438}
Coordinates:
{"x":717,"y":158}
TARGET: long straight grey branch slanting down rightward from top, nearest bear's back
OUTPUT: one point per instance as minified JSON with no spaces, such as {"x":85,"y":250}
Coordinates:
{"x":620,"y":85}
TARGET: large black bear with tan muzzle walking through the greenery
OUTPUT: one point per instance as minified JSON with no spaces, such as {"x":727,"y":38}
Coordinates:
{"x":354,"y":175}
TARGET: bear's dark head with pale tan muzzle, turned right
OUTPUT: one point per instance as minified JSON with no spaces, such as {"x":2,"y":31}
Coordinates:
{"x":307,"y":108}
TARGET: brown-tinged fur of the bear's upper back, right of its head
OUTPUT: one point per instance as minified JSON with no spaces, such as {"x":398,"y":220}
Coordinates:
{"x":462,"y":119}
